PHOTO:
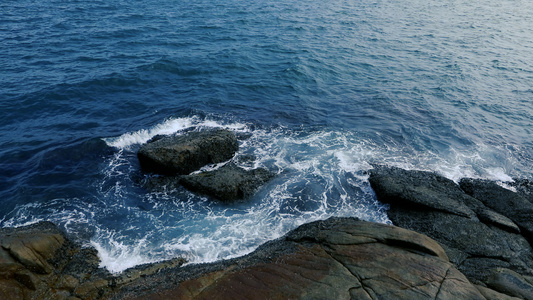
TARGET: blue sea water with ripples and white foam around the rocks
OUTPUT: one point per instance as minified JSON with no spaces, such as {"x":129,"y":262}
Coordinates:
{"x":325,"y":88}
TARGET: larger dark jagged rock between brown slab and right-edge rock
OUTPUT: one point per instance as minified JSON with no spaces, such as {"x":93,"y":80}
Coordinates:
{"x":475,"y":244}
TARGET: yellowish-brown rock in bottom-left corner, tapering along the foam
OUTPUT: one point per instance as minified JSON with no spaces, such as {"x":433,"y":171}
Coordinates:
{"x":39,"y":262}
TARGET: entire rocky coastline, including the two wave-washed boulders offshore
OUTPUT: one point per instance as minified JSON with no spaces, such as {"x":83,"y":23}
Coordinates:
{"x":465,"y":240}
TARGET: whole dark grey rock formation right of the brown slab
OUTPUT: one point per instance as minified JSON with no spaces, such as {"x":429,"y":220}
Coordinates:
{"x":482,"y":230}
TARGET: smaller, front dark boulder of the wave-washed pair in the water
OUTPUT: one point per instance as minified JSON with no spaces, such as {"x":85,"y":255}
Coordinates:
{"x":227,"y":183}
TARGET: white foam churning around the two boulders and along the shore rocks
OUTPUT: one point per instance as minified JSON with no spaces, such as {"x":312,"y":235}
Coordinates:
{"x":319,"y":174}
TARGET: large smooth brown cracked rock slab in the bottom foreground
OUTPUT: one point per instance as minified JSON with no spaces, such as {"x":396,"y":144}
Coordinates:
{"x":339,"y":258}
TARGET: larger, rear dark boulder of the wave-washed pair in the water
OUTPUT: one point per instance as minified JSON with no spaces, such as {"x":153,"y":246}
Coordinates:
{"x":183,"y":154}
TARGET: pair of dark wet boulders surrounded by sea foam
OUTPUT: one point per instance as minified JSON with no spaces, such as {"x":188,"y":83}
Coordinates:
{"x":177,"y":156}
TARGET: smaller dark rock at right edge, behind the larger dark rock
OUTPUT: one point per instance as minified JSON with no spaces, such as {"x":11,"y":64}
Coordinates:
{"x":503,"y":201}
